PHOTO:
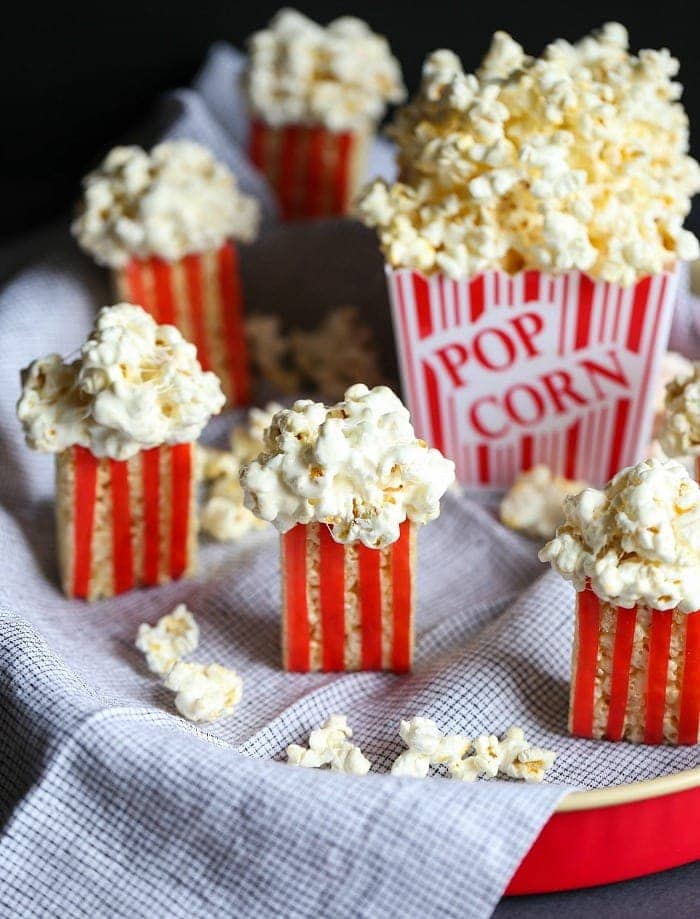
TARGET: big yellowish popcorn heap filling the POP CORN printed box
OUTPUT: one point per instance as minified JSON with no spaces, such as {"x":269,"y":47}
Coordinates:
{"x":573,"y":160}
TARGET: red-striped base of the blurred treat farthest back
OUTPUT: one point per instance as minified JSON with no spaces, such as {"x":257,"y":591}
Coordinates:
{"x":313,"y":171}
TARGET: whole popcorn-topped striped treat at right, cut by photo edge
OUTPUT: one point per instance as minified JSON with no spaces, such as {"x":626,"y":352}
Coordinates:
{"x":632,"y":552}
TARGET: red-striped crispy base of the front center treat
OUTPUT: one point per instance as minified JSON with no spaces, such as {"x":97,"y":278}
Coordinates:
{"x":346,"y":607}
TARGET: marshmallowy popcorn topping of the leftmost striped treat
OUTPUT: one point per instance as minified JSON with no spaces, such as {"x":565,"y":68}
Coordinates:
{"x":135,"y":385}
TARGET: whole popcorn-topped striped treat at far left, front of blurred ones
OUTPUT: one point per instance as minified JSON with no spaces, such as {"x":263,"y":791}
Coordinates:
{"x":122,"y":420}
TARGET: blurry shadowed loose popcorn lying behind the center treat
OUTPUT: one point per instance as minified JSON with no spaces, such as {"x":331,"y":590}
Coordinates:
{"x":326,"y":360}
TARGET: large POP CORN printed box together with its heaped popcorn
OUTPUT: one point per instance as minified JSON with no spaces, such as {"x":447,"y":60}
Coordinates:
{"x":531,"y":243}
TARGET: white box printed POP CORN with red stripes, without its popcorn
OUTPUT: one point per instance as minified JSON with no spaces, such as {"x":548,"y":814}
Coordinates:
{"x":502,"y":372}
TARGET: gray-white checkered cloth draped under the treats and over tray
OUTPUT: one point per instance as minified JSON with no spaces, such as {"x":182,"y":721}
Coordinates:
{"x":112,"y":805}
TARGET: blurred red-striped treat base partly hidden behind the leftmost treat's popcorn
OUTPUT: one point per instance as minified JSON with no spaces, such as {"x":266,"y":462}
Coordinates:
{"x":201,"y":295}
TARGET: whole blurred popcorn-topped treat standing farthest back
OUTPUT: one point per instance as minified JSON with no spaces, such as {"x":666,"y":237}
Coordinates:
{"x":315,"y":96}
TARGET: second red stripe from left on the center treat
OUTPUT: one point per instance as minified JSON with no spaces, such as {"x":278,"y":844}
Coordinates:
{"x":332,"y":567}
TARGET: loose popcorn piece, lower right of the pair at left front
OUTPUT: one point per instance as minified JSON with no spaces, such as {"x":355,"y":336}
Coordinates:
{"x":204,"y":692}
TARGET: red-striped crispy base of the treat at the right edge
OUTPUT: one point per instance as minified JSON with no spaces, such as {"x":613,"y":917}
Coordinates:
{"x":635,"y":673}
